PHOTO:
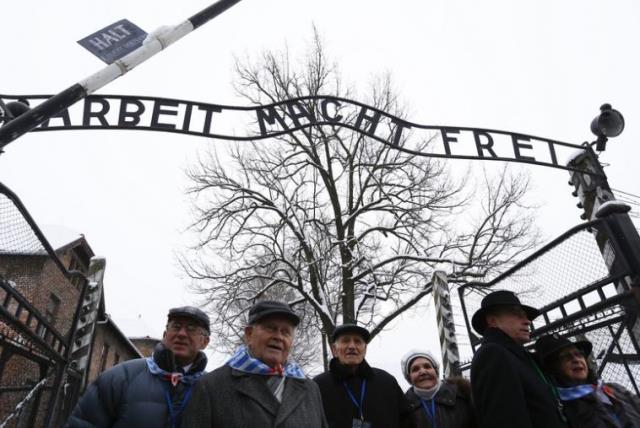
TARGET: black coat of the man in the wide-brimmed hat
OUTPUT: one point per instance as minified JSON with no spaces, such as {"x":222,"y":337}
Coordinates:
{"x":508,"y":388}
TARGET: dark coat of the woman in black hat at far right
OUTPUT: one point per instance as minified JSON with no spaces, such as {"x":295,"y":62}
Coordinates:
{"x":589,"y":412}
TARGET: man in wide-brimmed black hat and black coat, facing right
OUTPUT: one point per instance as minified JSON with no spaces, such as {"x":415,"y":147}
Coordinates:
{"x":509,"y":389}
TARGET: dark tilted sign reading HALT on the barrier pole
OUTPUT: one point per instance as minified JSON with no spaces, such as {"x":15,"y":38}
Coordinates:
{"x":114,"y":41}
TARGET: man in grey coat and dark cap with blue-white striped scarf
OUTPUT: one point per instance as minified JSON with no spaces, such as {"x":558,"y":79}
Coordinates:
{"x":259,"y":386}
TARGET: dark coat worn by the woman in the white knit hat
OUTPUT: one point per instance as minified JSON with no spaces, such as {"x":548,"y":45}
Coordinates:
{"x":453,"y":408}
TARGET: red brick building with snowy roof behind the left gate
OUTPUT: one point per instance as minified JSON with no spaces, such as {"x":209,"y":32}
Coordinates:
{"x":36,"y":288}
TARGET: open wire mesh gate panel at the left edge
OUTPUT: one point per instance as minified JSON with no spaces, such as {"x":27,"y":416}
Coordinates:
{"x":37,"y":311}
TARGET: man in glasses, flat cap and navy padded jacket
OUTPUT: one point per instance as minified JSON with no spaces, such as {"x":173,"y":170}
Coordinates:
{"x":150,"y":392}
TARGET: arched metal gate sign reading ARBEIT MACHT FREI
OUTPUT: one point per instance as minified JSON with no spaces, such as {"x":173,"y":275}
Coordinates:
{"x":258,"y":122}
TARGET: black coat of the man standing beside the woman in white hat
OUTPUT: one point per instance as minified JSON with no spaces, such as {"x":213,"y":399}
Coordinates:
{"x":385,"y":405}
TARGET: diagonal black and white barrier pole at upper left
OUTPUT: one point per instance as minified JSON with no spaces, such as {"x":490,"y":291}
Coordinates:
{"x":155,"y":42}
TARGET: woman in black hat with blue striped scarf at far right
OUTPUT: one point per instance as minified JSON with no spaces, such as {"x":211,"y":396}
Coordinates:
{"x":588,"y":401}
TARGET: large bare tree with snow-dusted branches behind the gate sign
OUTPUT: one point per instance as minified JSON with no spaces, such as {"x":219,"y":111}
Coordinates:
{"x":348,"y":229}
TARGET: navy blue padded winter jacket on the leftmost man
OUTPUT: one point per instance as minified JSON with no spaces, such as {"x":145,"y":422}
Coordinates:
{"x":128,"y":396}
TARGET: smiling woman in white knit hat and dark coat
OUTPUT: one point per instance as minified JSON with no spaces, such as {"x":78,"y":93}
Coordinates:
{"x":435,"y":403}
